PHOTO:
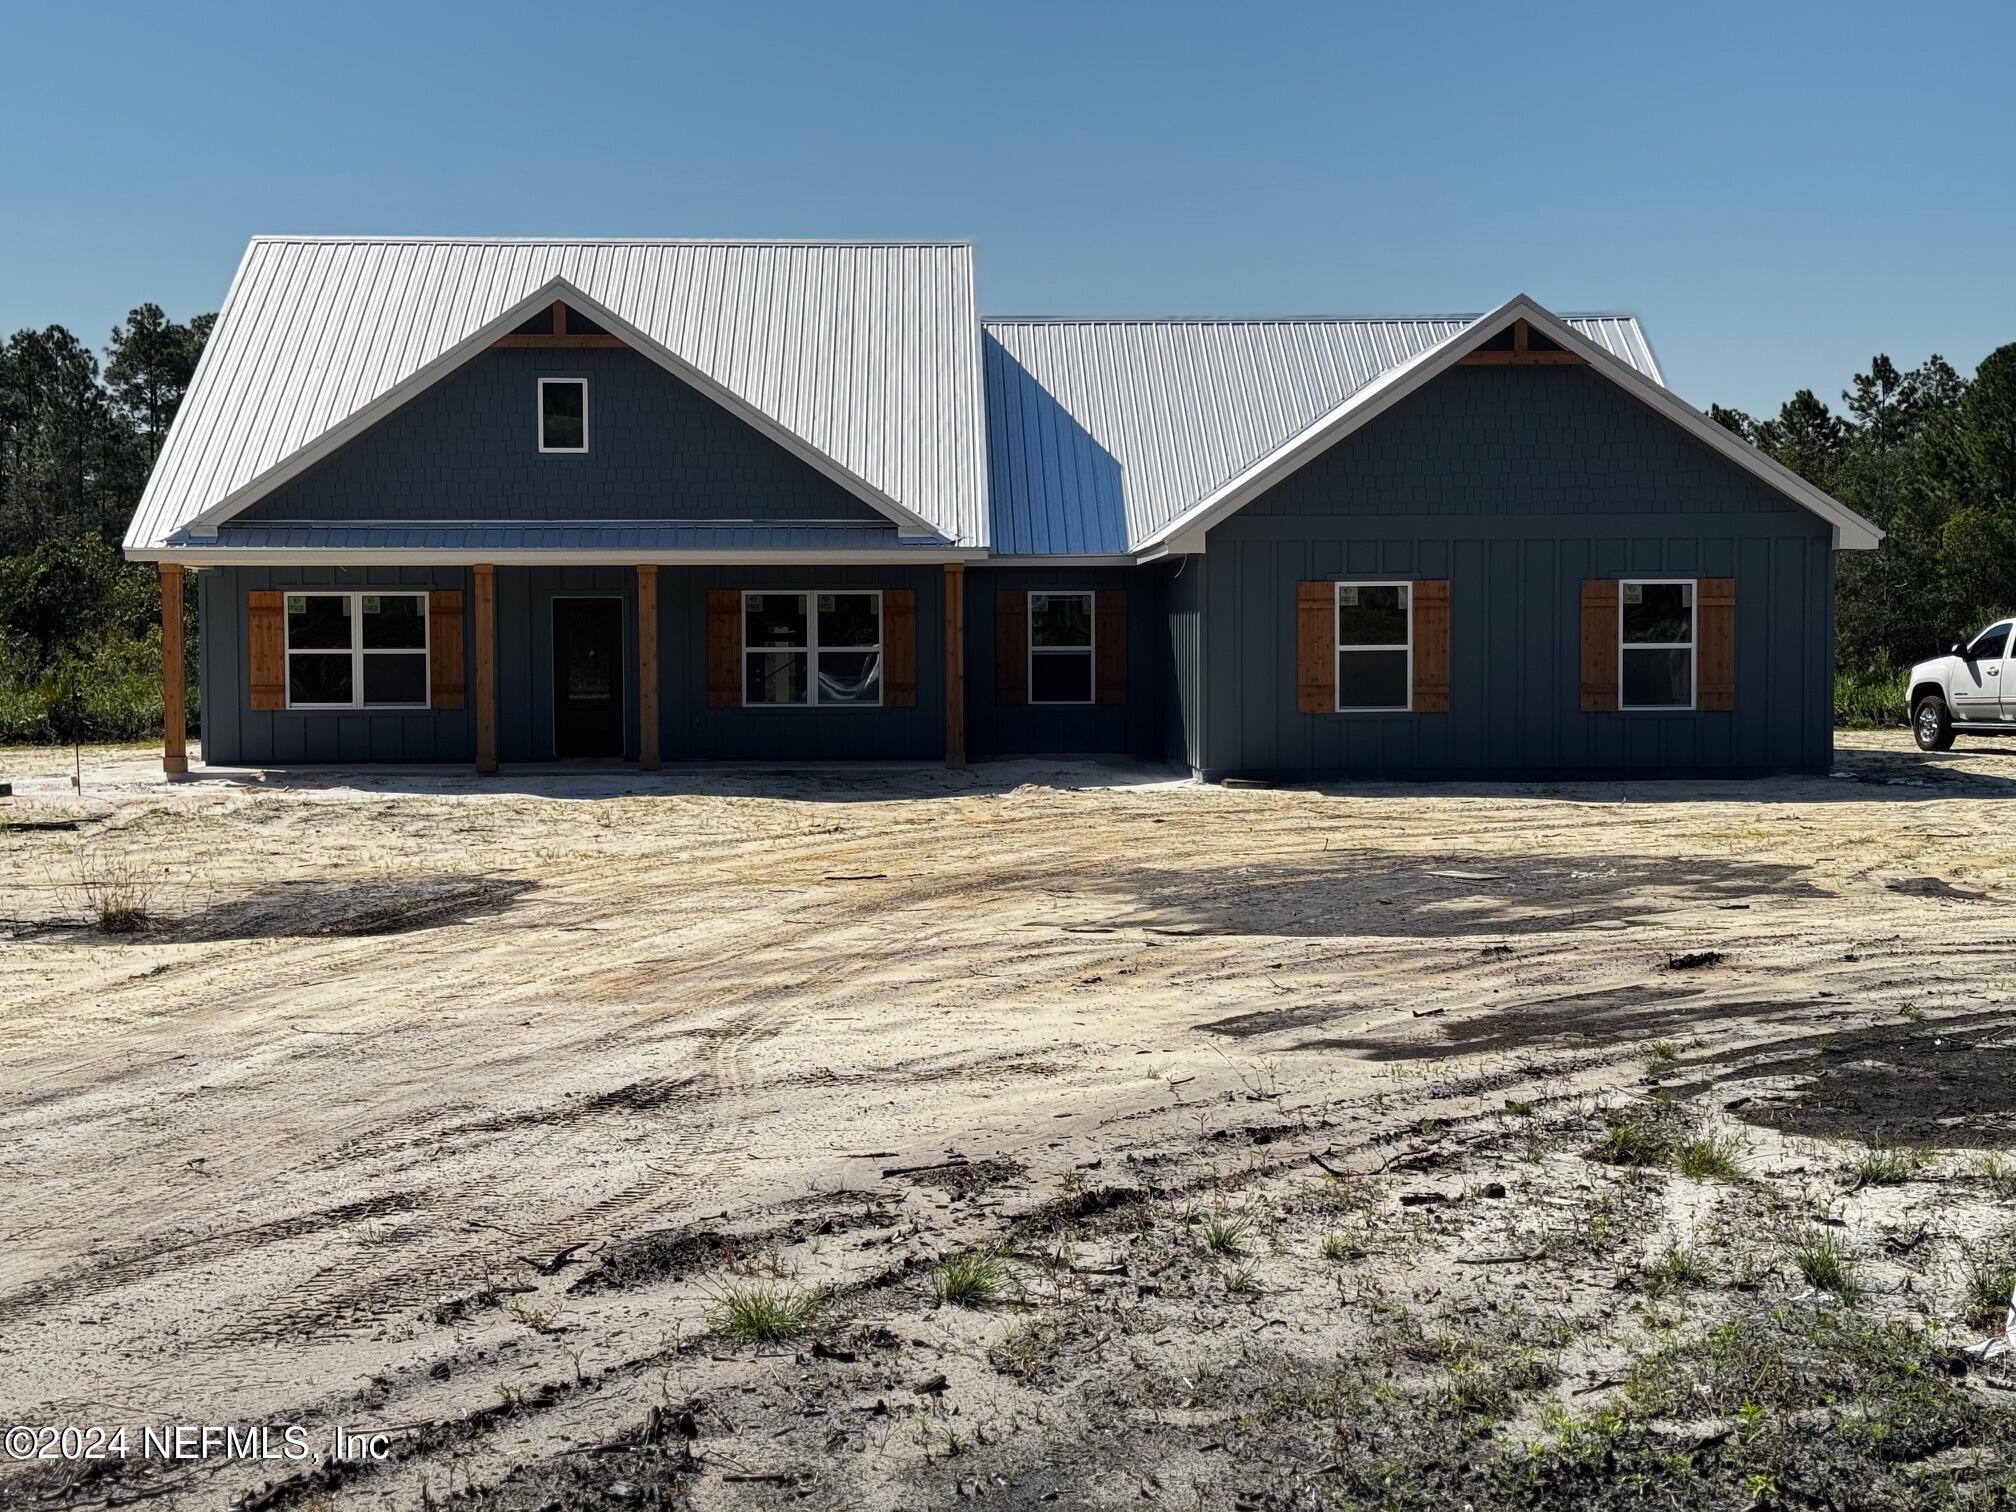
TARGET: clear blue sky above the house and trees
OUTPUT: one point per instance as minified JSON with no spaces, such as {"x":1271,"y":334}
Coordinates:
{"x":1777,"y":191}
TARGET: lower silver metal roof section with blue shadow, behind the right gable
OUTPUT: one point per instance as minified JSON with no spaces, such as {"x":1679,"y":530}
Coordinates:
{"x":1104,"y":432}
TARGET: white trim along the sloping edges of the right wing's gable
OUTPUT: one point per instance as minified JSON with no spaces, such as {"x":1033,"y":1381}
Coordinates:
{"x":1186,"y":533}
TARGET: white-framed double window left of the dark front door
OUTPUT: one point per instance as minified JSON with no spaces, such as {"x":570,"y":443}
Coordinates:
{"x":358,"y":650}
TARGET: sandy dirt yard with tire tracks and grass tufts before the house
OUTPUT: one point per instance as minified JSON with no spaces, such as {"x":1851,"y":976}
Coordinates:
{"x":1031,"y":1136}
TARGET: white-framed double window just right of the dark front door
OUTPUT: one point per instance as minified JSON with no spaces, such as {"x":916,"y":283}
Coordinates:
{"x":811,"y":648}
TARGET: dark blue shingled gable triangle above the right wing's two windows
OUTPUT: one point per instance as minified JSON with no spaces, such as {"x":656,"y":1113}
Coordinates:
{"x":1537,"y":440}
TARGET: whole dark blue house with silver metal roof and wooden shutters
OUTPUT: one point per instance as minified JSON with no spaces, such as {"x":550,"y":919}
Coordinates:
{"x":515,"y":501}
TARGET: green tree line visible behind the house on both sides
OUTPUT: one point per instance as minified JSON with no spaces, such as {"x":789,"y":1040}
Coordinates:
{"x":1922,"y":453}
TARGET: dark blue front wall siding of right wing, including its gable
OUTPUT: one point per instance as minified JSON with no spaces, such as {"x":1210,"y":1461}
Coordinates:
{"x":1517,"y":485}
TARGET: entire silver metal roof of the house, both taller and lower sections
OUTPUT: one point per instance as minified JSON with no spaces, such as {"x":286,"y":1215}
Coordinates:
{"x":1005,"y":436}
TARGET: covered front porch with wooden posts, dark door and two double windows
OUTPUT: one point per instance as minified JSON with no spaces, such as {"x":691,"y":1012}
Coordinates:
{"x":515,"y":662}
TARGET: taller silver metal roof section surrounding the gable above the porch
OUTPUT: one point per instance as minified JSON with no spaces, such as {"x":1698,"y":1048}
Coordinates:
{"x":862,"y":354}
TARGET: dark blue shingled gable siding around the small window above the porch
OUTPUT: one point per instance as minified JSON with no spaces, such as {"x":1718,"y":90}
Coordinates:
{"x":467,"y":449}
